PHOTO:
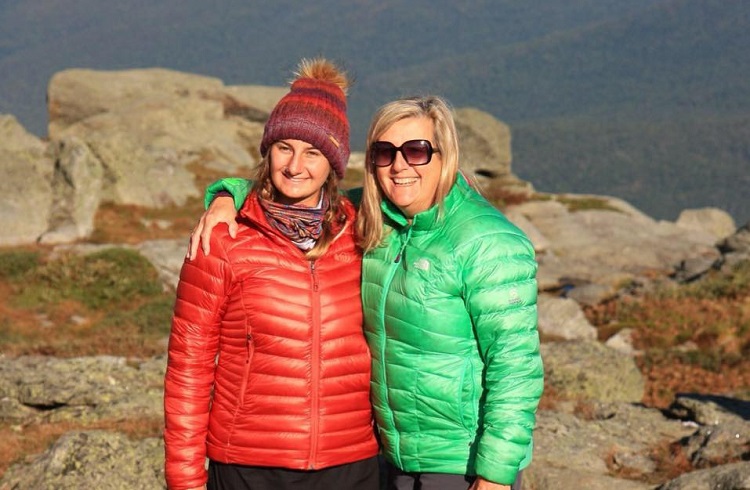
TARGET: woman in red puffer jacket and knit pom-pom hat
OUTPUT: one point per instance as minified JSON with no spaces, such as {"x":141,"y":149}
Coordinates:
{"x":268,"y":373}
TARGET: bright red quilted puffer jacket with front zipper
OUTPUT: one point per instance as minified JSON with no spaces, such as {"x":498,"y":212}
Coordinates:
{"x":268,"y":363}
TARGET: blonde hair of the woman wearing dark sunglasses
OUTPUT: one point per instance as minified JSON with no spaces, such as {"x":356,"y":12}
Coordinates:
{"x":370,"y":218}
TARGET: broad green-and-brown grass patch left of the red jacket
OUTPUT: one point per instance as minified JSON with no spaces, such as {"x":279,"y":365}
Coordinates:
{"x":110,"y":302}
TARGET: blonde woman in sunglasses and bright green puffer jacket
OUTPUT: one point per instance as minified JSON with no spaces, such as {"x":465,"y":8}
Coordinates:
{"x":449,"y":301}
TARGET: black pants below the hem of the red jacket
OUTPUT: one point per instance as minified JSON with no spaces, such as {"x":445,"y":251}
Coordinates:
{"x":362,"y":475}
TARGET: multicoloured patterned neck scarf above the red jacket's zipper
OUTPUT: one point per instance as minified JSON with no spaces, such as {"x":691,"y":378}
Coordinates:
{"x":302,"y":225}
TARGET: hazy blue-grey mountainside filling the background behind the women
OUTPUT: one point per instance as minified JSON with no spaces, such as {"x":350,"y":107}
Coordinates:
{"x":641,"y":99}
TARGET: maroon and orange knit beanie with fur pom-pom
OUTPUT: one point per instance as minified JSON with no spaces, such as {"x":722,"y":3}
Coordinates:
{"x":314,"y":111}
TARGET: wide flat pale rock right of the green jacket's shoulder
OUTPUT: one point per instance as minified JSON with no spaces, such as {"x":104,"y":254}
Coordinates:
{"x":595,"y":252}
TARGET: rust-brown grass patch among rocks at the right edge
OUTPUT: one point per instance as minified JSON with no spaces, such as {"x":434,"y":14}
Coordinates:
{"x":695,"y":338}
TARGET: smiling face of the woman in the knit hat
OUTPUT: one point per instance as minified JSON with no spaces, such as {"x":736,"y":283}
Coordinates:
{"x":298,"y":171}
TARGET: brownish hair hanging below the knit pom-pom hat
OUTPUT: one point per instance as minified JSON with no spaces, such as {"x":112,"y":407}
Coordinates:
{"x":334,"y":218}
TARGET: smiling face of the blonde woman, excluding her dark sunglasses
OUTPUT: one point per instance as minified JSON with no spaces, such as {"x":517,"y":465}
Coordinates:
{"x":411,"y":189}
